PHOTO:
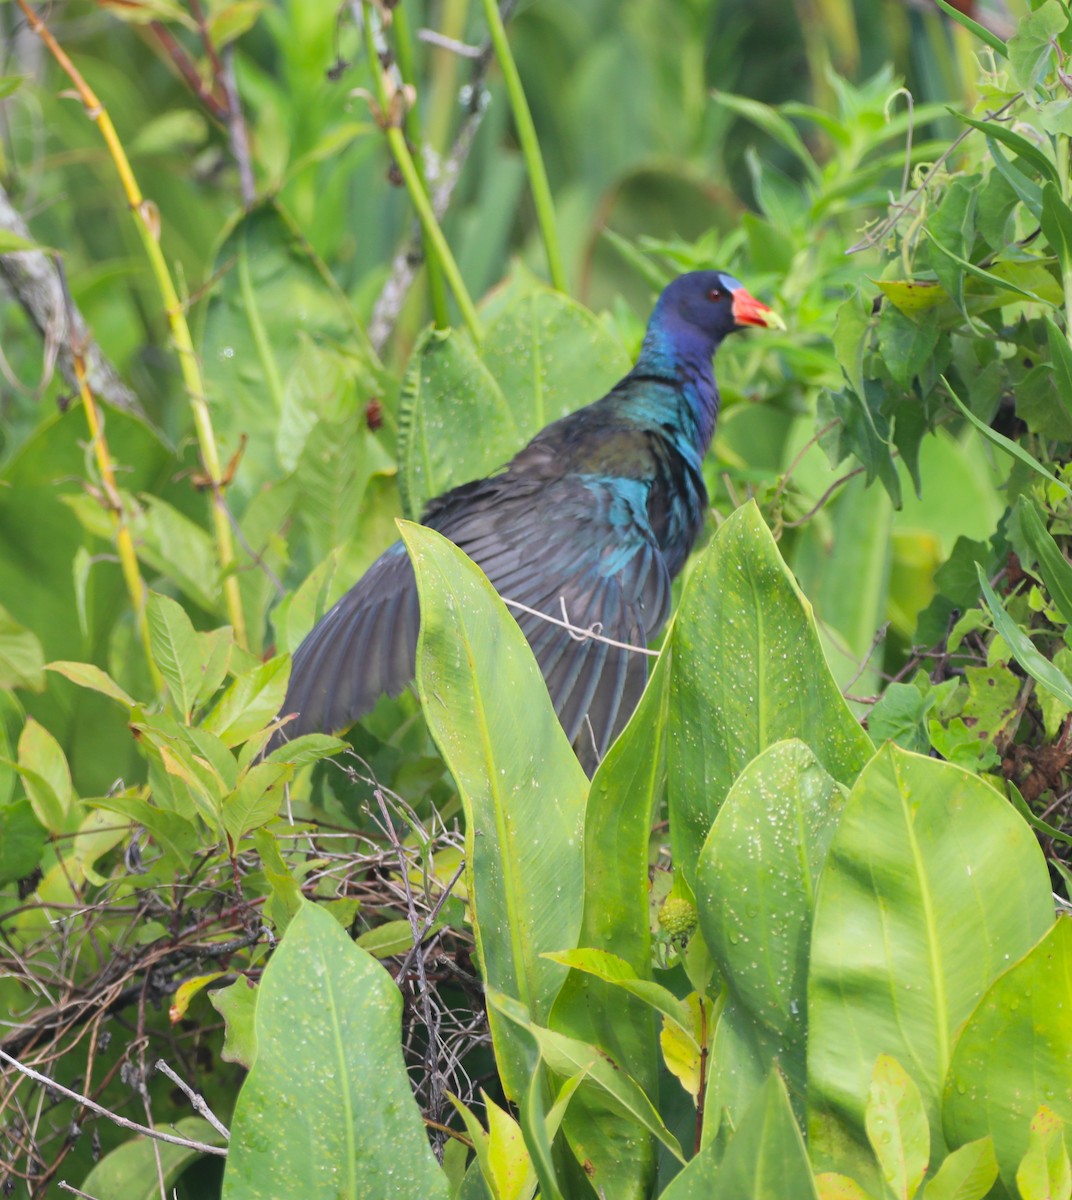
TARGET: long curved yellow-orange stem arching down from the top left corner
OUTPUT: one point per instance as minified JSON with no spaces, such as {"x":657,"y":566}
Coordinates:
{"x":145,"y":219}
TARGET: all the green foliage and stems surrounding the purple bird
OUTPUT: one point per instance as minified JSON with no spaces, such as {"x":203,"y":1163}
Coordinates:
{"x":893,"y":686}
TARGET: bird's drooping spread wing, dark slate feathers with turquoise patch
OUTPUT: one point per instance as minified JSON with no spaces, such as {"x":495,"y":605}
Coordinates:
{"x":572,"y":550}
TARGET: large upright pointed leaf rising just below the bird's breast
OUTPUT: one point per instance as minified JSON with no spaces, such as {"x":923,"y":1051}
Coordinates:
{"x":748,"y":671}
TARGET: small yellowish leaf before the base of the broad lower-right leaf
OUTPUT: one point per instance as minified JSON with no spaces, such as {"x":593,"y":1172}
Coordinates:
{"x":897,"y":1127}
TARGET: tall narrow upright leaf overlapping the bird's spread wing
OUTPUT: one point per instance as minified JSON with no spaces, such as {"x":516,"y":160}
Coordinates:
{"x":481,"y":688}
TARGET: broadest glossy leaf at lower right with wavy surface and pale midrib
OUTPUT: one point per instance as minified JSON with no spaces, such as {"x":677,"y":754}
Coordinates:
{"x":937,"y":885}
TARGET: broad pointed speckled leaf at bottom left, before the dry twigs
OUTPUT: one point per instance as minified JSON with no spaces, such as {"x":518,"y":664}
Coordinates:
{"x":327,"y":1109}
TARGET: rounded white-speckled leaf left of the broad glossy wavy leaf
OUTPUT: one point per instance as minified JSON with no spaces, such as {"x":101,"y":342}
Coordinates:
{"x":756,"y":891}
